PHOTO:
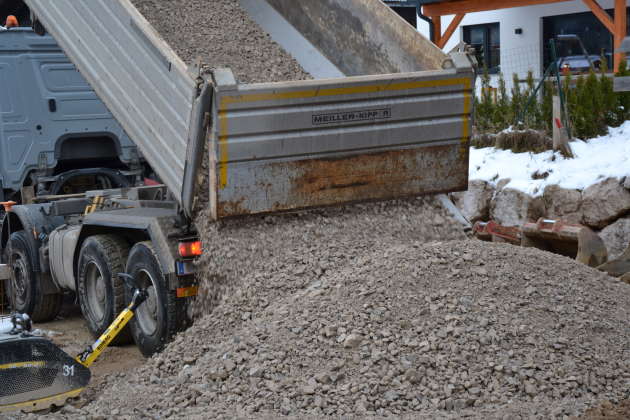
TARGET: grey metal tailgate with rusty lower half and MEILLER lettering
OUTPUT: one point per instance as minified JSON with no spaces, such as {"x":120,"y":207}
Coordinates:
{"x":283,"y":146}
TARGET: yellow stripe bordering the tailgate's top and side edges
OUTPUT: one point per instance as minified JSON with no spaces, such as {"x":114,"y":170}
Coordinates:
{"x":226,"y":101}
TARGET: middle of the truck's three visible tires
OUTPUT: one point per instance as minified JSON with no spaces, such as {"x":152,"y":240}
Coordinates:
{"x":100,"y":290}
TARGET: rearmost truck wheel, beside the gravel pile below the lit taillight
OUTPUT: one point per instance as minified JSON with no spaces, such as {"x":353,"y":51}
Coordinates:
{"x":155,"y":321}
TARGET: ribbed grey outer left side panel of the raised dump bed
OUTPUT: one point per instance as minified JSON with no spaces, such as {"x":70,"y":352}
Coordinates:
{"x":141,"y":80}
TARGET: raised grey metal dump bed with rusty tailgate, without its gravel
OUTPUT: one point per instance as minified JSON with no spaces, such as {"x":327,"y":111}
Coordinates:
{"x":399,"y":126}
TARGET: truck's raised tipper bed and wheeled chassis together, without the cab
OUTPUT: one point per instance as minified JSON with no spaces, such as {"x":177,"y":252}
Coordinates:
{"x":388,"y":115}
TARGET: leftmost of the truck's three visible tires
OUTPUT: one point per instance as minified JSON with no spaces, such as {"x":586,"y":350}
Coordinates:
{"x":24,"y":291}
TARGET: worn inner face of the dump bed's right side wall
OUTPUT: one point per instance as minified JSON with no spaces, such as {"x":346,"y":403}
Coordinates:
{"x":357,"y":37}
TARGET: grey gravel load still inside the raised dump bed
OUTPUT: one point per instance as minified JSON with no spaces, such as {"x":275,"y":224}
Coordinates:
{"x":222,"y":34}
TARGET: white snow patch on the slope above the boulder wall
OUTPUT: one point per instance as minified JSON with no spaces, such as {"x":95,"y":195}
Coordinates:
{"x":600,"y":158}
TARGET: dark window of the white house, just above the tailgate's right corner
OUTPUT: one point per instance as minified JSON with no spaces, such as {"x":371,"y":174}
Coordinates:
{"x":486,"y":40}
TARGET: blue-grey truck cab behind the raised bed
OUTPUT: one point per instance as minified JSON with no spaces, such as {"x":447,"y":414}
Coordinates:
{"x":56,"y":136}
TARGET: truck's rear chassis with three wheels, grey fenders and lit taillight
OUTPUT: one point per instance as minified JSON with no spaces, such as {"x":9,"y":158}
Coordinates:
{"x":80,"y":244}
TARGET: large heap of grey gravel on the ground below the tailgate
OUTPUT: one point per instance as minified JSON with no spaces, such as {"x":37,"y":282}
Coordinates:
{"x":364,"y":311}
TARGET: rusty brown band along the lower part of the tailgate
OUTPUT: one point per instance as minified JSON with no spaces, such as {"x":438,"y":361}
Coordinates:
{"x":341,"y":180}
